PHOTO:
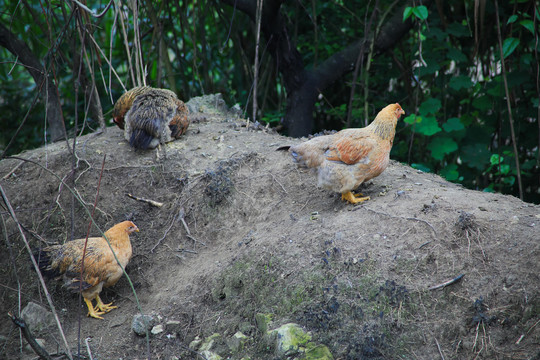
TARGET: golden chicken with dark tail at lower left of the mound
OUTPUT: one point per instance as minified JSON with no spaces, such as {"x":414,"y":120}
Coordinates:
{"x":100,"y":266}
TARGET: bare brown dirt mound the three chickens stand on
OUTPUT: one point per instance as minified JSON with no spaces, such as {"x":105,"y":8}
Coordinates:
{"x":242,"y":231}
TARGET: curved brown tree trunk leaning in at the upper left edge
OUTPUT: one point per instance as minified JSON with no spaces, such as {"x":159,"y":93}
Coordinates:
{"x":44,"y":84}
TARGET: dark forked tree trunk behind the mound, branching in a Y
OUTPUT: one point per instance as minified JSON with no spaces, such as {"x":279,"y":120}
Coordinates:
{"x":303,"y":85}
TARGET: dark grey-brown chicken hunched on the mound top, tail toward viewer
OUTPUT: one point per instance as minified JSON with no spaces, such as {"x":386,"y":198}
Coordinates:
{"x":150,"y":116}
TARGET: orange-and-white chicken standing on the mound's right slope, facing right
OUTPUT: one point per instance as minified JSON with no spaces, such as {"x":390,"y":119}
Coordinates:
{"x":350,"y":157}
